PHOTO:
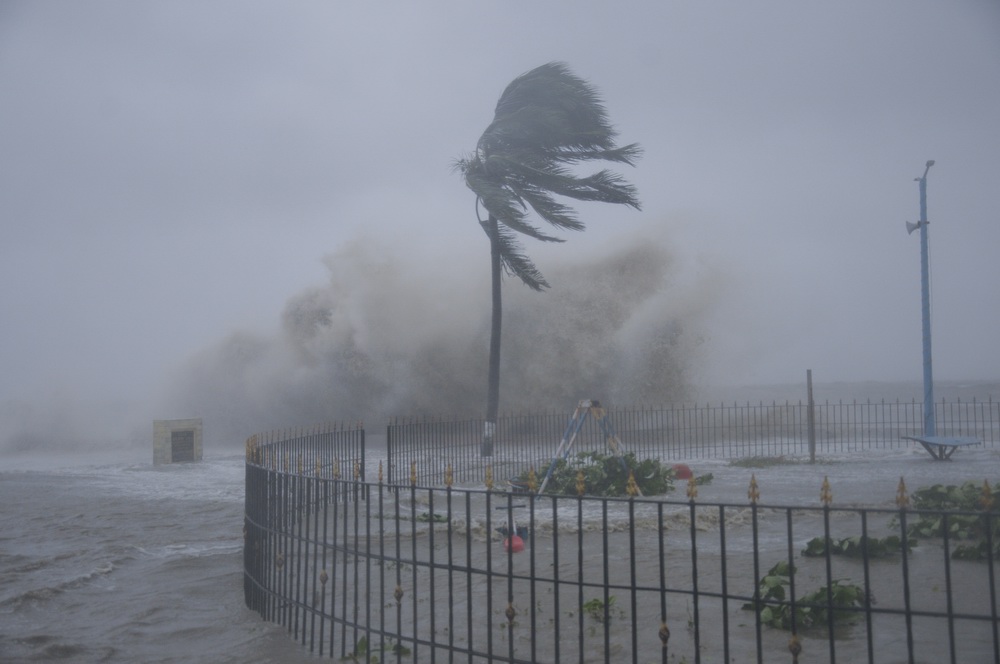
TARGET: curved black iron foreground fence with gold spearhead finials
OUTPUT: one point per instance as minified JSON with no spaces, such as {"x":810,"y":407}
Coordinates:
{"x":372,"y":571}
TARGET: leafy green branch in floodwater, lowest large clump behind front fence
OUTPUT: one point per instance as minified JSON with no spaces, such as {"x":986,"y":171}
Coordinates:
{"x":775,"y":608}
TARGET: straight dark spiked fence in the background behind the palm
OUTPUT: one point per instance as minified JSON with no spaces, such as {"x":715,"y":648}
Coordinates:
{"x":677,"y":432}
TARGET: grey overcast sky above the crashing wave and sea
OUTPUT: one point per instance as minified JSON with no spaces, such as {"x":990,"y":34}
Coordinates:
{"x":174,"y":172}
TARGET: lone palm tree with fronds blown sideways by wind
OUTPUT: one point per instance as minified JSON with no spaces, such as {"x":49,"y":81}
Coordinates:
{"x":546,"y":121}
